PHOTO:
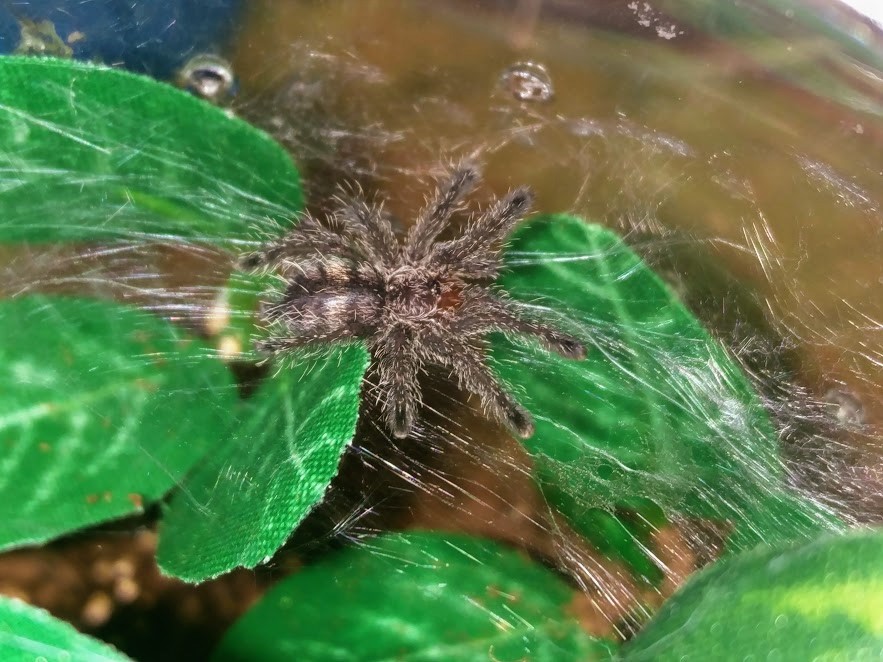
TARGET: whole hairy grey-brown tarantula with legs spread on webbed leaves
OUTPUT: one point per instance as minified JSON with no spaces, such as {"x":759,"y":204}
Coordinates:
{"x":419,"y":302}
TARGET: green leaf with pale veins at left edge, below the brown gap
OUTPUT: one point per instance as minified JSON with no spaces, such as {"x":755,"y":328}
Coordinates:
{"x":103,"y":408}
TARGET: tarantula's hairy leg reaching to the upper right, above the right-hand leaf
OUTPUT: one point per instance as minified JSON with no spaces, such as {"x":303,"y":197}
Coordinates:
{"x":473,"y":251}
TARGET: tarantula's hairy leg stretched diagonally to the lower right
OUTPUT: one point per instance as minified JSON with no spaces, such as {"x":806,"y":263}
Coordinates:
{"x":468,"y":365}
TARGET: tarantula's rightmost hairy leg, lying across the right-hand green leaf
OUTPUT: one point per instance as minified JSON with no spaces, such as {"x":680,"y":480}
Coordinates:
{"x":482,"y":312}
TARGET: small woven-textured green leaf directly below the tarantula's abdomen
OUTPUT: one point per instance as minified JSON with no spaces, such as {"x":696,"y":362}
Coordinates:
{"x":241,"y":505}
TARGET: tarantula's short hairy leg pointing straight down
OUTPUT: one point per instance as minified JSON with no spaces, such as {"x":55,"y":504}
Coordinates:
{"x":397,"y":365}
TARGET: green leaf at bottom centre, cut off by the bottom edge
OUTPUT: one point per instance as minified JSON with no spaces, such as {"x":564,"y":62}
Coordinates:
{"x":416,"y":596}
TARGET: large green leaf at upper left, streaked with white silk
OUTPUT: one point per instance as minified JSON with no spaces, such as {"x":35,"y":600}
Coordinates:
{"x":91,"y":153}
